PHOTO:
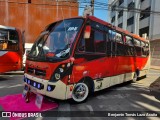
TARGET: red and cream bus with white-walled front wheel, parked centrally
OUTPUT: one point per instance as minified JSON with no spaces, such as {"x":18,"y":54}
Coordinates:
{"x":75,"y":57}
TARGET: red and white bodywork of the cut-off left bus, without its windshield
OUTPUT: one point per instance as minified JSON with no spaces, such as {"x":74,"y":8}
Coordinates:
{"x":11,"y":60}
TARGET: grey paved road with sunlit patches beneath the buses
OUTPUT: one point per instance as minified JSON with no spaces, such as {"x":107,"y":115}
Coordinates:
{"x":124,"y":97}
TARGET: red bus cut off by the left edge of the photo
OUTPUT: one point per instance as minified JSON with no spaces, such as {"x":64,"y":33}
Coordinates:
{"x":11,"y":49}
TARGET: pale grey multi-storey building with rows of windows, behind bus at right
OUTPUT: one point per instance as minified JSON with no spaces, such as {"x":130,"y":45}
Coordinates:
{"x":140,"y":17}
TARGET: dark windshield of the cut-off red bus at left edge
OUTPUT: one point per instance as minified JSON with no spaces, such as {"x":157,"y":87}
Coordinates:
{"x":8,"y":40}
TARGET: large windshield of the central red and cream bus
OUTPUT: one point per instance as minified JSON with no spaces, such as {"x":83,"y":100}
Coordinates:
{"x":58,"y":42}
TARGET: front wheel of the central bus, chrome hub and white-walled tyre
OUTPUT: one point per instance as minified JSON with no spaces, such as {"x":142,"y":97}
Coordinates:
{"x":80,"y":92}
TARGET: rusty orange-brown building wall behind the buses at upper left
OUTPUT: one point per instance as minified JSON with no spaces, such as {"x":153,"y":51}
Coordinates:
{"x":31,"y":16}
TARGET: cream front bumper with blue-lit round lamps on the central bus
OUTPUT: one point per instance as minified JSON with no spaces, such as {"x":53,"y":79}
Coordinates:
{"x":55,"y":90}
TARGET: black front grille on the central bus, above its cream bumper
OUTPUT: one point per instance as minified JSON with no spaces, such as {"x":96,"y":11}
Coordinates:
{"x":37,"y":72}
